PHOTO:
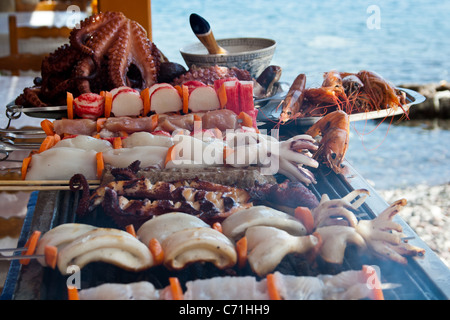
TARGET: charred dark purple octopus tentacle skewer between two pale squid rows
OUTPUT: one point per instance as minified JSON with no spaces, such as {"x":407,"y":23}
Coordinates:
{"x":136,"y":201}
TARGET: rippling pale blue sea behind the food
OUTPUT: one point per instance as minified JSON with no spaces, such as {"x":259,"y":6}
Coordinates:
{"x":405,"y":41}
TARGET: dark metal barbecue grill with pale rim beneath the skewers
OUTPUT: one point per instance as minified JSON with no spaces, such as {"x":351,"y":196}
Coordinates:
{"x":423,"y":278}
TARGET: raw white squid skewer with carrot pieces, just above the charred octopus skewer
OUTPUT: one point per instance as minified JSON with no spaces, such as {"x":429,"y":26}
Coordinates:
{"x":240,"y":149}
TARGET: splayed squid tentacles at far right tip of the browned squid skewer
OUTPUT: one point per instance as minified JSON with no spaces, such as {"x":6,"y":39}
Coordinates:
{"x":384,"y":236}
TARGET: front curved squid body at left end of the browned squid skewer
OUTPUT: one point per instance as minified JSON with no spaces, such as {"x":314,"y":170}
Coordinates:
{"x":106,"y":245}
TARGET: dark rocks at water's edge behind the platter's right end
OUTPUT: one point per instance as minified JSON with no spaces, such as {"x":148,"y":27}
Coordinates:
{"x":437,"y":103}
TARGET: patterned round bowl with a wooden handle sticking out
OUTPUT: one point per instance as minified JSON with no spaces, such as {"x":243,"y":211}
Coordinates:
{"x":251,"y":54}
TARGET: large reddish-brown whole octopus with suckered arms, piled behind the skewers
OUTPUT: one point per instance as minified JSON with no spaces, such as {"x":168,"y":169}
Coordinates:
{"x":106,"y":51}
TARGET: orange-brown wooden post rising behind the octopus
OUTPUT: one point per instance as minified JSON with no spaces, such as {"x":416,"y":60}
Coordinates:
{"x":137,"y":10}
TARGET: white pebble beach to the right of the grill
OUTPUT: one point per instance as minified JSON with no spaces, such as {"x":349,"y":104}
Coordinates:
{"x":428,"y":214}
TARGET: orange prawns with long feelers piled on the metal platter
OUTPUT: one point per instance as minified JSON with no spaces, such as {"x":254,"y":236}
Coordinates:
{"x":350,"y":92}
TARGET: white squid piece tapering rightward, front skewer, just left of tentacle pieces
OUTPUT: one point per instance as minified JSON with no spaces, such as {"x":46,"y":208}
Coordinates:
{"x":268,"y":246}
